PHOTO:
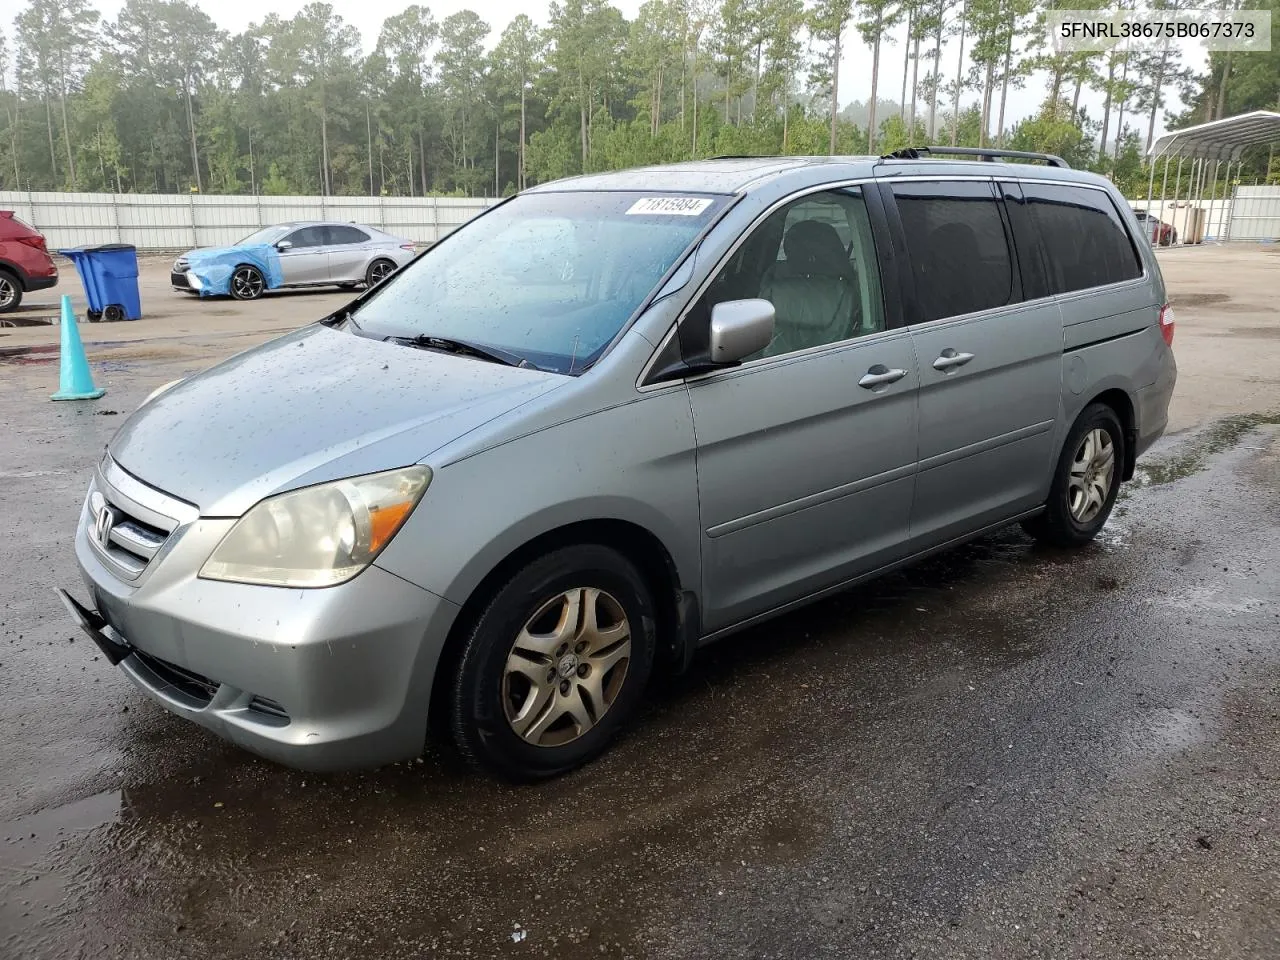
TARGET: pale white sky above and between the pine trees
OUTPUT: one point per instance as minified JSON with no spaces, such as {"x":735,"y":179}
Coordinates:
{"x":856,"y":84}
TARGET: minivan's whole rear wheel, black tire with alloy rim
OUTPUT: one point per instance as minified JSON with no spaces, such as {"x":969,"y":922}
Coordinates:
{"x":1078,"y":506}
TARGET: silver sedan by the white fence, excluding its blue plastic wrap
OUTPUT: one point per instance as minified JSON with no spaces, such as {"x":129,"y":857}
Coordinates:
{"x":313,"y":254}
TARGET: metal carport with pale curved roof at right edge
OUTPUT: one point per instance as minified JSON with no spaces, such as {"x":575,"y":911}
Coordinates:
{"x":1255,"y":212}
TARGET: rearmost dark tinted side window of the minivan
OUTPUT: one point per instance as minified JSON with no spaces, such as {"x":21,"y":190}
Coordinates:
{"x":1086,"y":244}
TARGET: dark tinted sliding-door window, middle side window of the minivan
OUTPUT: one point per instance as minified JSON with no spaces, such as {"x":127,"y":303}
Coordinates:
{"x":957,"y":241}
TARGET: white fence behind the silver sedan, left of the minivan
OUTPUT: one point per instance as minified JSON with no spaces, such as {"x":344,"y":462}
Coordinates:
{"x":176,"y":223}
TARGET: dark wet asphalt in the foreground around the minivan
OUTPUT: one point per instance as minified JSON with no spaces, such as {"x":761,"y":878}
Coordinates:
{"x":1005,"y":752}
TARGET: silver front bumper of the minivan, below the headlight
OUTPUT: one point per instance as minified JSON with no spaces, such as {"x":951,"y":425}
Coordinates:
{"x":331,"y":679}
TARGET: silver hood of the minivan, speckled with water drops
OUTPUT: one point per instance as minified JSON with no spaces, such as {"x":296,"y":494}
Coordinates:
{"x":313,"y":406}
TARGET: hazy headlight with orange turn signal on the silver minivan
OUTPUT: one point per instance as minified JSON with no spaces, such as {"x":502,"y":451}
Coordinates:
{"x":321,"y":536}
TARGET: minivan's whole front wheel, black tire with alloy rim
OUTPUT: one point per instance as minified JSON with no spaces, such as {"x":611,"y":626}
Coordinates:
{"x":491,"y":700}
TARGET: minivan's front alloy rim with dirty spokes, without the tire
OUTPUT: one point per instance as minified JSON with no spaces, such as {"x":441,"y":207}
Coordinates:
{"x":566,"y":668}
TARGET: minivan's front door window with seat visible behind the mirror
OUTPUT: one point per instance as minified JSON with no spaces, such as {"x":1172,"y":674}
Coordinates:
{"x":816,"y":263}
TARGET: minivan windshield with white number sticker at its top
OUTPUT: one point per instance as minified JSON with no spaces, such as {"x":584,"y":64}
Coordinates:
{"x":547,"y":277}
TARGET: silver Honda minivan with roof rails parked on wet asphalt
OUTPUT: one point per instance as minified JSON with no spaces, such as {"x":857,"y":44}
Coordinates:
{"x":609,"y":422}
